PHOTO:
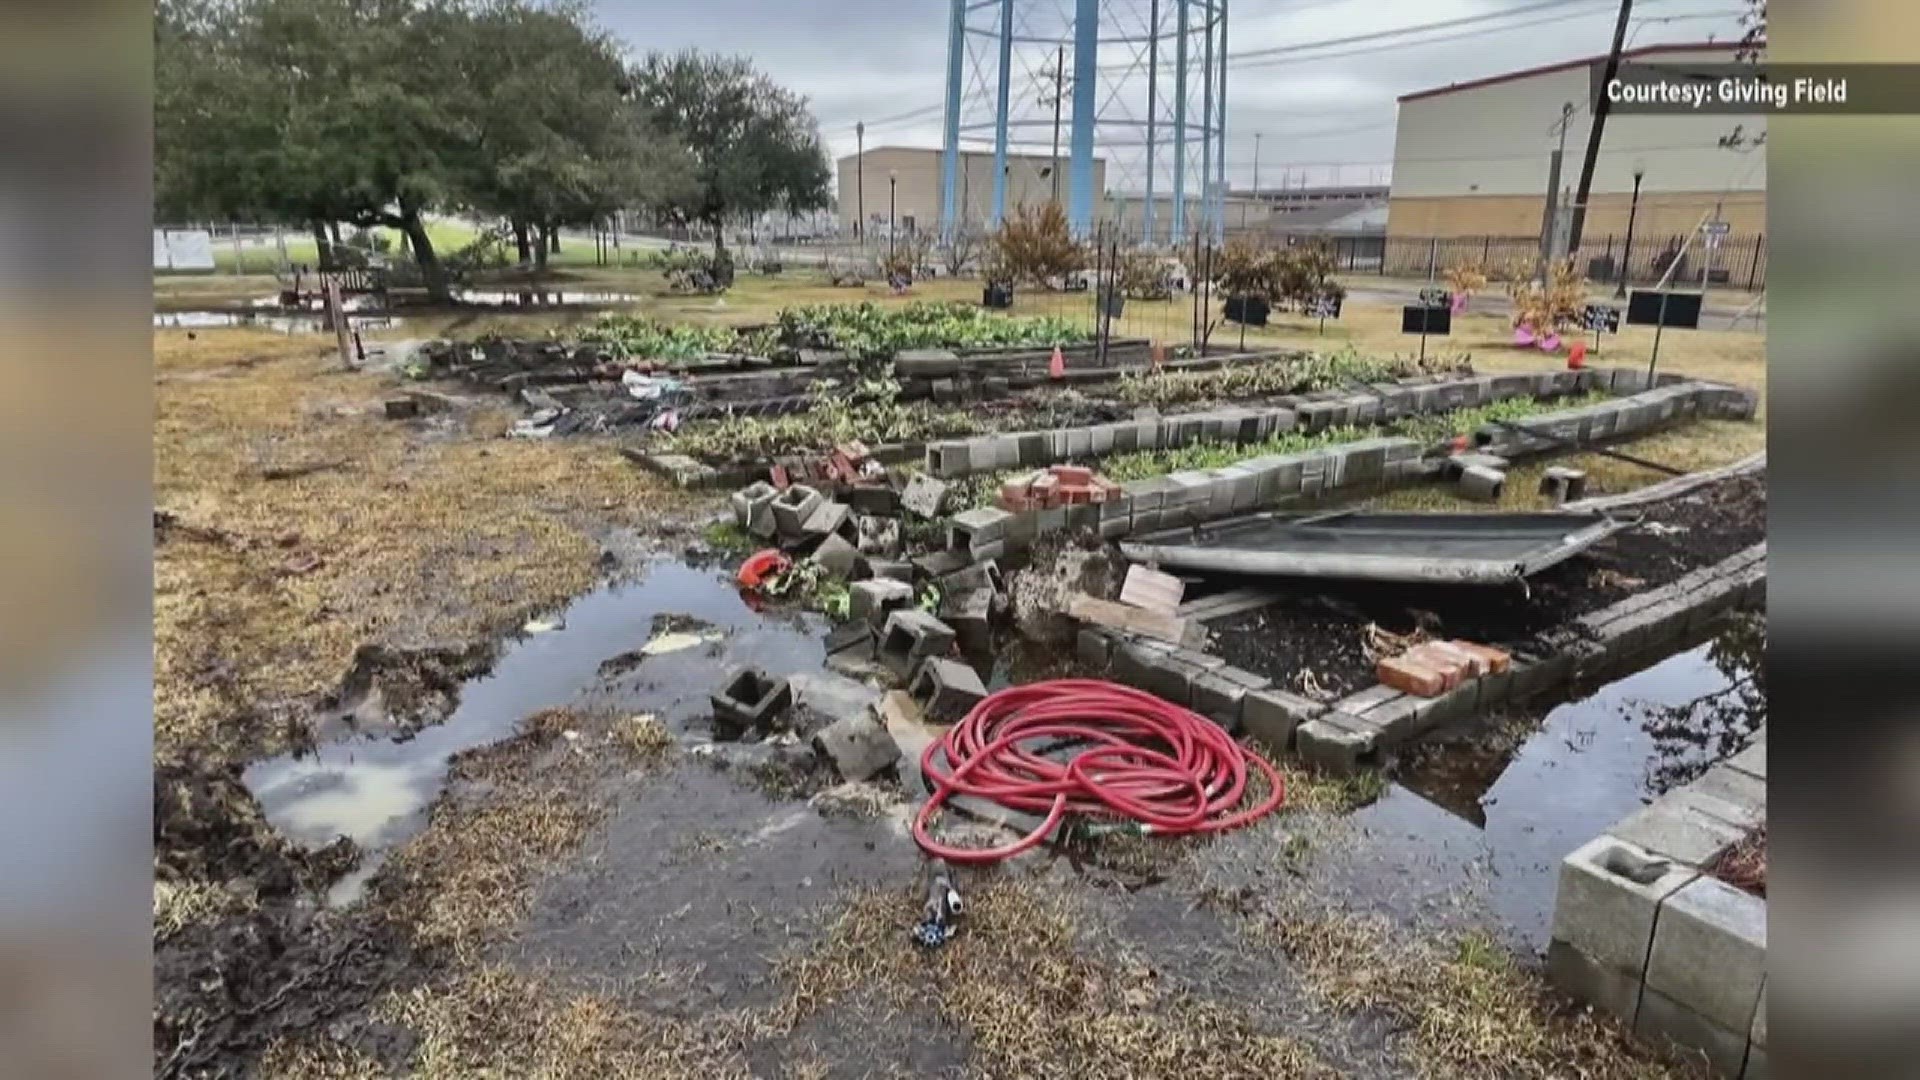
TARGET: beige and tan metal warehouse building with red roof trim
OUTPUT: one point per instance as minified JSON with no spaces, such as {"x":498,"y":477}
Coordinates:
{"x":1472,"y":159}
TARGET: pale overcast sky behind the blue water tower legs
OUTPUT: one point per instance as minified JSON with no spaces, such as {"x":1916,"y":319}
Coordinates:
{"x":882,"y":59}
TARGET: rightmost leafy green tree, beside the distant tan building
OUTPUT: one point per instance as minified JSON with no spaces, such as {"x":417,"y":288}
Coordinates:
{"x":756,"y":147}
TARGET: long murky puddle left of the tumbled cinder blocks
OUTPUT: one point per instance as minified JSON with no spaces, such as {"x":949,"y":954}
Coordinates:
{"x":377,"y":791}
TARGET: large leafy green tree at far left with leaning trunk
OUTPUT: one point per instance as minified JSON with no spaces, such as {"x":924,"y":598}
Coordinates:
{"x":312,"y":112}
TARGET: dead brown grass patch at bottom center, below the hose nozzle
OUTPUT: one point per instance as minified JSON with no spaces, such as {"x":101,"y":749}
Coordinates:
{"x":1030,"y":998}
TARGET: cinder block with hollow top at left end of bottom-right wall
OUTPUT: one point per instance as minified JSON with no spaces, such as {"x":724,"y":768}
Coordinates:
{"x":1610,"y":895}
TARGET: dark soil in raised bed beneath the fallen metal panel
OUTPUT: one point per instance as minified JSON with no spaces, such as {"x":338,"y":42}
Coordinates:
{"x":1324,"y":631}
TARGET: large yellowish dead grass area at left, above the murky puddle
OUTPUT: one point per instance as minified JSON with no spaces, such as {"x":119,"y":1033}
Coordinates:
{"x":418,"y":539}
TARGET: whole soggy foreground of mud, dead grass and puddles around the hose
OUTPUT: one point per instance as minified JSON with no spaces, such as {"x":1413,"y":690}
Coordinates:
{"x":552,"y":868}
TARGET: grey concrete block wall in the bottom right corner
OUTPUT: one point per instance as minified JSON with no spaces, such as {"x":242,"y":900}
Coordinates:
{"x":1644,"y":933}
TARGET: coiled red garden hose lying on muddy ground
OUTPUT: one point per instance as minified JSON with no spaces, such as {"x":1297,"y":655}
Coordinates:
{"x":1164,"y":770}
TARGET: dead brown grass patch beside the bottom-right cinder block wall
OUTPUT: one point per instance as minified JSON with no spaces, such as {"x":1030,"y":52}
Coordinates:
{"x":1470,"y":1008}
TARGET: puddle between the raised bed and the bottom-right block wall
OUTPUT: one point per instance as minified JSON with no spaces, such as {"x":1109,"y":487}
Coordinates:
{"x":1591,"y":764}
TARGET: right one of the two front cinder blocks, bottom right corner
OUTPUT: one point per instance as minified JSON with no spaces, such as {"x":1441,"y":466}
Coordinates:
{"x":1710,"y":952}
